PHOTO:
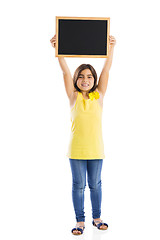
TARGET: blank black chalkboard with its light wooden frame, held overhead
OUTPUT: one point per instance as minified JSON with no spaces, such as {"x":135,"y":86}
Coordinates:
{"x":82,"y":37}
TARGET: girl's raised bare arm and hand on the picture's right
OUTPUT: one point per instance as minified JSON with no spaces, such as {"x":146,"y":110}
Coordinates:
{"x":103,"y":79}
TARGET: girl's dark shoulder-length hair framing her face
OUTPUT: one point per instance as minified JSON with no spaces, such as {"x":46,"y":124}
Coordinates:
{"x":77,"y":73}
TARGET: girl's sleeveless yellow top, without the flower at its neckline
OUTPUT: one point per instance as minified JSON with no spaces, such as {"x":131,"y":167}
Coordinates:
{"x":86,"y":140}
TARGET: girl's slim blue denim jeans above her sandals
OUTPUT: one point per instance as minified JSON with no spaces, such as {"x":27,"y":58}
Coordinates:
{"x":79,"y":169}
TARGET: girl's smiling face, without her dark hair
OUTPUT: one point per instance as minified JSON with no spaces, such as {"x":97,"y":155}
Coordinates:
{"x":85,"y":80}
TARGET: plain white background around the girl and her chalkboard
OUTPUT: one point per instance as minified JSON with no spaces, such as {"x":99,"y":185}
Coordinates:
{"x":35,"y":175}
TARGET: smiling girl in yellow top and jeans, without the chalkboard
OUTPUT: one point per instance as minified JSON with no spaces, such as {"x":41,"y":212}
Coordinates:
{"x":86,"y":149}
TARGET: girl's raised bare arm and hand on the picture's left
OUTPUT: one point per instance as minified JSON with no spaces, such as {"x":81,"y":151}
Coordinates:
{"x":68,"y":81}
